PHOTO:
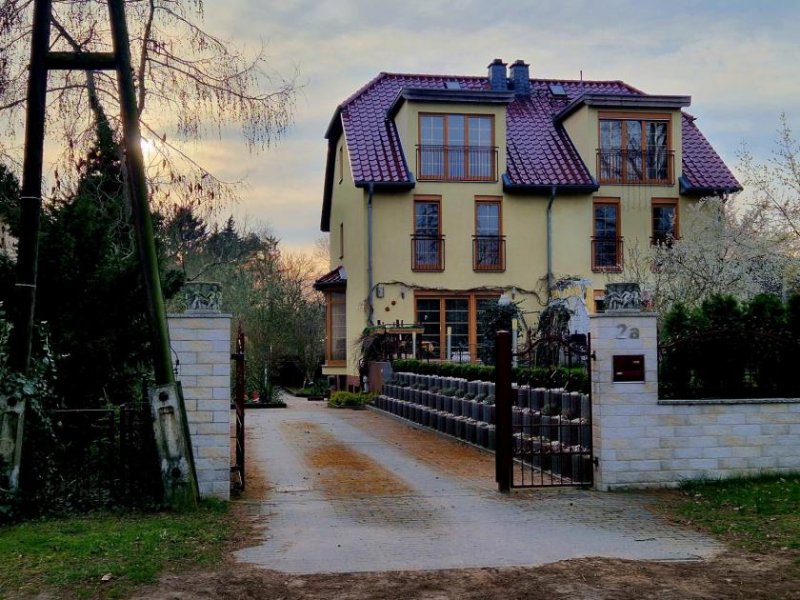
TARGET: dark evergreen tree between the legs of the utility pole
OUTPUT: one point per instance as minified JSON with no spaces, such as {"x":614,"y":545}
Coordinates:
{"x":90,"y":286}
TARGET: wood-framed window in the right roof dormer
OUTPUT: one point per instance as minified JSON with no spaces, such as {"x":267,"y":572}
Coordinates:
{"x":634,"y":149}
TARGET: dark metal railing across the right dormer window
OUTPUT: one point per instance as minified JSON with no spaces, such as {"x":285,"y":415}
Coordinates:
{"x":636,"y":166}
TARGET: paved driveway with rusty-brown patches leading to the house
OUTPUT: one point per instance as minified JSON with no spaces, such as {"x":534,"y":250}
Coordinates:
{"x":360,"y":491}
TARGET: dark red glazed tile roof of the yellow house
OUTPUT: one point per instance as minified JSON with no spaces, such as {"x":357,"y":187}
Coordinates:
{"x":539,"y":151}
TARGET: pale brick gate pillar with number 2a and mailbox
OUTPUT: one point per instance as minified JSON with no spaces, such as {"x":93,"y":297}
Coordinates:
{"x":622,"y":395}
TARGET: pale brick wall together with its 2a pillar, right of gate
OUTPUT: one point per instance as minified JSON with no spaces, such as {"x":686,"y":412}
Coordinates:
{"x":640,"y":441}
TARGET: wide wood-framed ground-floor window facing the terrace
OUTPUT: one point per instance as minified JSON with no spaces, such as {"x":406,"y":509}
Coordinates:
{"x":451,"y":318}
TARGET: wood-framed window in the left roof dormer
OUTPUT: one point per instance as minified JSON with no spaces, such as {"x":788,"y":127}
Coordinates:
{"x":456,"y":148}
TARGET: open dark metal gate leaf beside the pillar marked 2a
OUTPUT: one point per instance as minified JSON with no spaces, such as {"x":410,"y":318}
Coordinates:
{"x":545,"y":433}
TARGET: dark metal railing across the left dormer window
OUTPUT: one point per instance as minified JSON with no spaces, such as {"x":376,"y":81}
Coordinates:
{"x":457,"y":163}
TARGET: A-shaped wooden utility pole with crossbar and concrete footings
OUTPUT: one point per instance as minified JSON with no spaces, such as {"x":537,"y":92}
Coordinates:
{"x":166,"y":397}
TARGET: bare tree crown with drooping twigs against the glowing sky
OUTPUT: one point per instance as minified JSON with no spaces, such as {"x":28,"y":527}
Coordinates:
{"x":190,"y":84}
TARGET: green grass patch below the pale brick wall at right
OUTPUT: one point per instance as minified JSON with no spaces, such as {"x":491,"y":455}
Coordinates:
{"x":758,"y":514}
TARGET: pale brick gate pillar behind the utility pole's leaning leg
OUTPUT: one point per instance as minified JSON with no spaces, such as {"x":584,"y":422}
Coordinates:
{"x":202,"y":342}
